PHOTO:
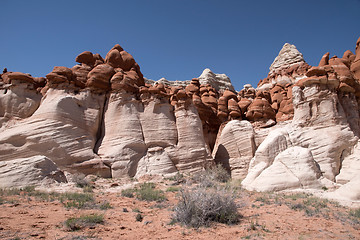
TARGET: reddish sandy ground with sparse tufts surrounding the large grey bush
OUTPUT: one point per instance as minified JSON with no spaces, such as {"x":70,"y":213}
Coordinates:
{"x":265,"y":216}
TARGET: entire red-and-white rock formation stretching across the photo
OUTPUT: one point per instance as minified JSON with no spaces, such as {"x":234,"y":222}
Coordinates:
{"x":299,"y":129}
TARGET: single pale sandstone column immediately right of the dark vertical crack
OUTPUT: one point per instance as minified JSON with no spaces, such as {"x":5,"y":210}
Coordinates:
{"x":122,"y":142}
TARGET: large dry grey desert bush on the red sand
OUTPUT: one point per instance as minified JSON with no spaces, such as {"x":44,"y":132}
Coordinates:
{"x":199,"y":207}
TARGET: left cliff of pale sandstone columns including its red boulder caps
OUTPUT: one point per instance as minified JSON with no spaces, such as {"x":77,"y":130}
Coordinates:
{"x":99,"y":117}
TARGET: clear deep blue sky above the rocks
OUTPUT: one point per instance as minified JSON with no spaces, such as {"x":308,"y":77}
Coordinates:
{"x":175,"y":39}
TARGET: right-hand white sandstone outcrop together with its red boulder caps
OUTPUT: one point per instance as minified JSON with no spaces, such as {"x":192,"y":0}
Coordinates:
{"x":321,"y":142}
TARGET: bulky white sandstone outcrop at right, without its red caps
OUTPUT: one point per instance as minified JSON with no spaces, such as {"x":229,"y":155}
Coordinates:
{"x":320,"y":129}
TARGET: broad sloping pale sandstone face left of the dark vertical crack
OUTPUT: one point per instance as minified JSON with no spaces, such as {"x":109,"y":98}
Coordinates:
{"x":63,"y":128}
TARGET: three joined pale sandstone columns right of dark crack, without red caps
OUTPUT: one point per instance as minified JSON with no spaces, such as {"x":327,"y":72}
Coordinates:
{"x":149,"y":137}
